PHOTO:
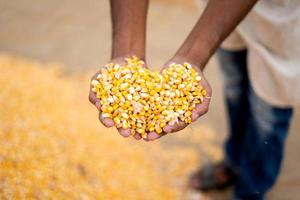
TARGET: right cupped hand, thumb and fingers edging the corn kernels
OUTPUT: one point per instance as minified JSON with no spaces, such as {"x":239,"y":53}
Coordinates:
{"x":197,"y":112}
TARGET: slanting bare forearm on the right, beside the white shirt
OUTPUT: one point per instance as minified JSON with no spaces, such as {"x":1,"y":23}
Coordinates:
{"x":218,"y":20}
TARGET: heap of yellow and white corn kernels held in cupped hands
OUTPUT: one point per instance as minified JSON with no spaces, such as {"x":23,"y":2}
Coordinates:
{"x":144,"y":101}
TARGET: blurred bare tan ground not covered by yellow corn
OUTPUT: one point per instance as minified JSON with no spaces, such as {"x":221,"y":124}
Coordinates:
{"x":77,"y":33}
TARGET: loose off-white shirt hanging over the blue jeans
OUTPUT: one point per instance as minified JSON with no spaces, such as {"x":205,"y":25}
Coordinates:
{"x":271,"y":32}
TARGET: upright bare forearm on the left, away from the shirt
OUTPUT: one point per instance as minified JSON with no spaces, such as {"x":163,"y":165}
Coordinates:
{"x":129,"y":27}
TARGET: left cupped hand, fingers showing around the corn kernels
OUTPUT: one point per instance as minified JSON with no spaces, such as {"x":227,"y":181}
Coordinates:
{"x":108,"y":122}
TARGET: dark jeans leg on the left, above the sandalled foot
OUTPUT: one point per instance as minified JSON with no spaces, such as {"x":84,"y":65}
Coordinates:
{"x":233,"y":65}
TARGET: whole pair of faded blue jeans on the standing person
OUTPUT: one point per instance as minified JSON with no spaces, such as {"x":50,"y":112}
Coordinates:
{"x":258,"y":130}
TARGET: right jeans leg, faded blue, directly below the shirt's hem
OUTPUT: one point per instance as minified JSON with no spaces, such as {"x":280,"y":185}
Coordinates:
{"x":262,"y":148}
